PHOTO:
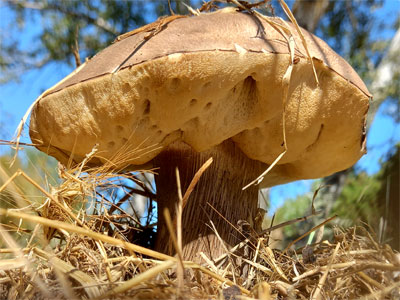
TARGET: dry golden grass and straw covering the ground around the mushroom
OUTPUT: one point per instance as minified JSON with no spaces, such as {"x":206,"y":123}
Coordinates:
{"x":71,"y":254}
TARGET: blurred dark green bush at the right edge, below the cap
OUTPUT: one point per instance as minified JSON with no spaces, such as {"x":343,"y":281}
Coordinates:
{"x":374,"y":200}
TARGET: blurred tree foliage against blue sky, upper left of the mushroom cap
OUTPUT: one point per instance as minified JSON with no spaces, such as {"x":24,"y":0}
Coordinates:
{"x":67,"y":26}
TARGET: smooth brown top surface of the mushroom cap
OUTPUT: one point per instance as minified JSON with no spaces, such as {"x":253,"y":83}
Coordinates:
{"x":210,"y":32}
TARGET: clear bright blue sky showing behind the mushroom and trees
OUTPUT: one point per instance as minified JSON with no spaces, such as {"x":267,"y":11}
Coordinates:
{"x":16,"y":97}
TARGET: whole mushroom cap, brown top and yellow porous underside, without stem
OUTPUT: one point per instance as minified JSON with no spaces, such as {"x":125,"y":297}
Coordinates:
{"x":203,"y":87}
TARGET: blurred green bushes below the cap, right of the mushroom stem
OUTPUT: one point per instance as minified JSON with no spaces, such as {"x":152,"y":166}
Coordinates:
{"x":364,"y":199}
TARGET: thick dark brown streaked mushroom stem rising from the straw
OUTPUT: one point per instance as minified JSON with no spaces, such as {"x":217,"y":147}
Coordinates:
{"x":220,"y":187}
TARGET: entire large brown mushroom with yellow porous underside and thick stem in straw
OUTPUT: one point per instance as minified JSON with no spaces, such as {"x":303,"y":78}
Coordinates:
{"x":182,"y":91}
